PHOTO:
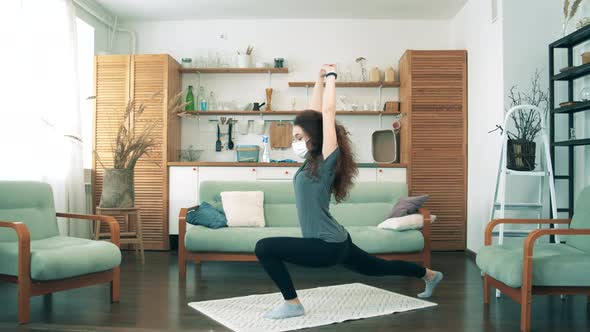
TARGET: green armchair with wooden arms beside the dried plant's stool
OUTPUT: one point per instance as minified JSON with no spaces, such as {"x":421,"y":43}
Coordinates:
{"x":35,"y":257}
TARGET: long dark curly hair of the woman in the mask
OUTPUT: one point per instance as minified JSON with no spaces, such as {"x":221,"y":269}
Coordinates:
{"x":346,"y":170}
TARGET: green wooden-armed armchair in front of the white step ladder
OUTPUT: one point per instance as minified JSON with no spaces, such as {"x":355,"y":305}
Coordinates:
{"x":540,"y":269}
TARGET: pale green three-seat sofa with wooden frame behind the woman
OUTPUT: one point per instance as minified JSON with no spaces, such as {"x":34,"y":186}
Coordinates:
{"x":366,"y":207}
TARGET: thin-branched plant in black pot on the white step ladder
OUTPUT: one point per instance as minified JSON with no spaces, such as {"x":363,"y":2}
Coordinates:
{"x":521,"y":148}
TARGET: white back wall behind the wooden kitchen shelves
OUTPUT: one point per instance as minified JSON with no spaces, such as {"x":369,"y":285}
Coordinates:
{"x":305,"y":44}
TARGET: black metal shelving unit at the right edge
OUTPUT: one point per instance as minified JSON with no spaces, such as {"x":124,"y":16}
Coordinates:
{"x":568,"y":42}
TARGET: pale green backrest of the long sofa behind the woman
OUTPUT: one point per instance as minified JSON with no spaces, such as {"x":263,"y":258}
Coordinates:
{"x":367,"y":204}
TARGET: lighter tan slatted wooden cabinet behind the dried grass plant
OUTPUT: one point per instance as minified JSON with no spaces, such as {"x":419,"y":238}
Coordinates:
{"x":147,"y":79}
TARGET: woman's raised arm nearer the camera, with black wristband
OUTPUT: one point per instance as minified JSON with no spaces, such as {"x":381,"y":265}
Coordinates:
{"x":330,"y":142}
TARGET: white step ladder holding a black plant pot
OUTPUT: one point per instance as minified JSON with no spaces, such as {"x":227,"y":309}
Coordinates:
{"x":499,"y":205}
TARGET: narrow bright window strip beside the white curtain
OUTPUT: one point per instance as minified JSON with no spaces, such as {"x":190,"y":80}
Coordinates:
{"x":85,"y":45}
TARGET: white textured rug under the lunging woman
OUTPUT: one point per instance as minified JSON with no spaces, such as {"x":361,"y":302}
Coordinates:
{"x":323,"y":306}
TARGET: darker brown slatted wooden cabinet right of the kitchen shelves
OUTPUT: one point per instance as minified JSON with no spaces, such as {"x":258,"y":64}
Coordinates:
{"x":434,"y":86}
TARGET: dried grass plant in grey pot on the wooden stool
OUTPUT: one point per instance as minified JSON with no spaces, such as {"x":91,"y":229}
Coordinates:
{"x":130,"y":145}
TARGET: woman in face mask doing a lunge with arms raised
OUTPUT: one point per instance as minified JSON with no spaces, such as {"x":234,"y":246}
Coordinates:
{"x":329,"y":168}
